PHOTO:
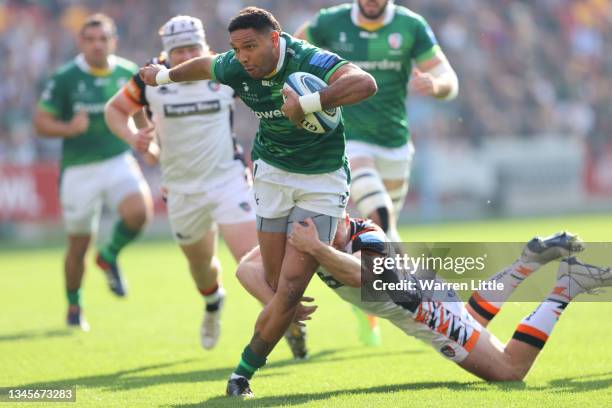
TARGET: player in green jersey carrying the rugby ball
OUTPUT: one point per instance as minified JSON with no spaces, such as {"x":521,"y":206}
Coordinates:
{"x":297,"y":174}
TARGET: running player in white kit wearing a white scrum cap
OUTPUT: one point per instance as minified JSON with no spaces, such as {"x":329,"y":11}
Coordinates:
{"x":206,"y":182}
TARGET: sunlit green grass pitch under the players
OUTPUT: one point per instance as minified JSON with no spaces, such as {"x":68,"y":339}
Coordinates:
{"x":144,"y":350}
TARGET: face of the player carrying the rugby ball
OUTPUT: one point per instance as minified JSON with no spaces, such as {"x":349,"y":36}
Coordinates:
{"x":255,"y":51}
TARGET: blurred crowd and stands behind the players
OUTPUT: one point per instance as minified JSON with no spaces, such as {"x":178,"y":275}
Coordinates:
{"x":530,"y":134}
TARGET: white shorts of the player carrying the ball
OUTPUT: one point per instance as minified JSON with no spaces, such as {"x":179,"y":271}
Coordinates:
{"x":278,"y":191}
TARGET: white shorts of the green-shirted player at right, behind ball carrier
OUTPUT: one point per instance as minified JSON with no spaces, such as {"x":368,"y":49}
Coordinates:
{"x":391,"y":163}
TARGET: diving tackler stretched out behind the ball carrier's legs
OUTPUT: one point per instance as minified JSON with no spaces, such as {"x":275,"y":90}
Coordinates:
{"x":457,"y":331}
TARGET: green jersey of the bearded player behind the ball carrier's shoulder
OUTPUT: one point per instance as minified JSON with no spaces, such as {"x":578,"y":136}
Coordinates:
{"x":387,"y":53}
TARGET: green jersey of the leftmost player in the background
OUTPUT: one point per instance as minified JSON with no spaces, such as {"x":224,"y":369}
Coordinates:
{"x":75,"y":87}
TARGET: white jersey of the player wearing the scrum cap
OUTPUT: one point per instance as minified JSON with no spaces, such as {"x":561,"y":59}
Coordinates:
{"x":193,"y":125}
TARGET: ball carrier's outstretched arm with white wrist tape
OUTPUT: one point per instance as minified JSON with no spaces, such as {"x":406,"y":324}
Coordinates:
{"x":195,"y":69}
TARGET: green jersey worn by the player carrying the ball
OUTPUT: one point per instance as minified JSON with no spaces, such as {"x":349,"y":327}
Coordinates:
{"x":278,"y":141}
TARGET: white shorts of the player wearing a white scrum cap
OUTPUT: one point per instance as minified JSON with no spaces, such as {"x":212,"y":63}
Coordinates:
{"x":192,"y":215}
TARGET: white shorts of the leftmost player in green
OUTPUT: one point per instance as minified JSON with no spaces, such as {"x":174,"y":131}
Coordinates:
{"x":85,"y":188}
